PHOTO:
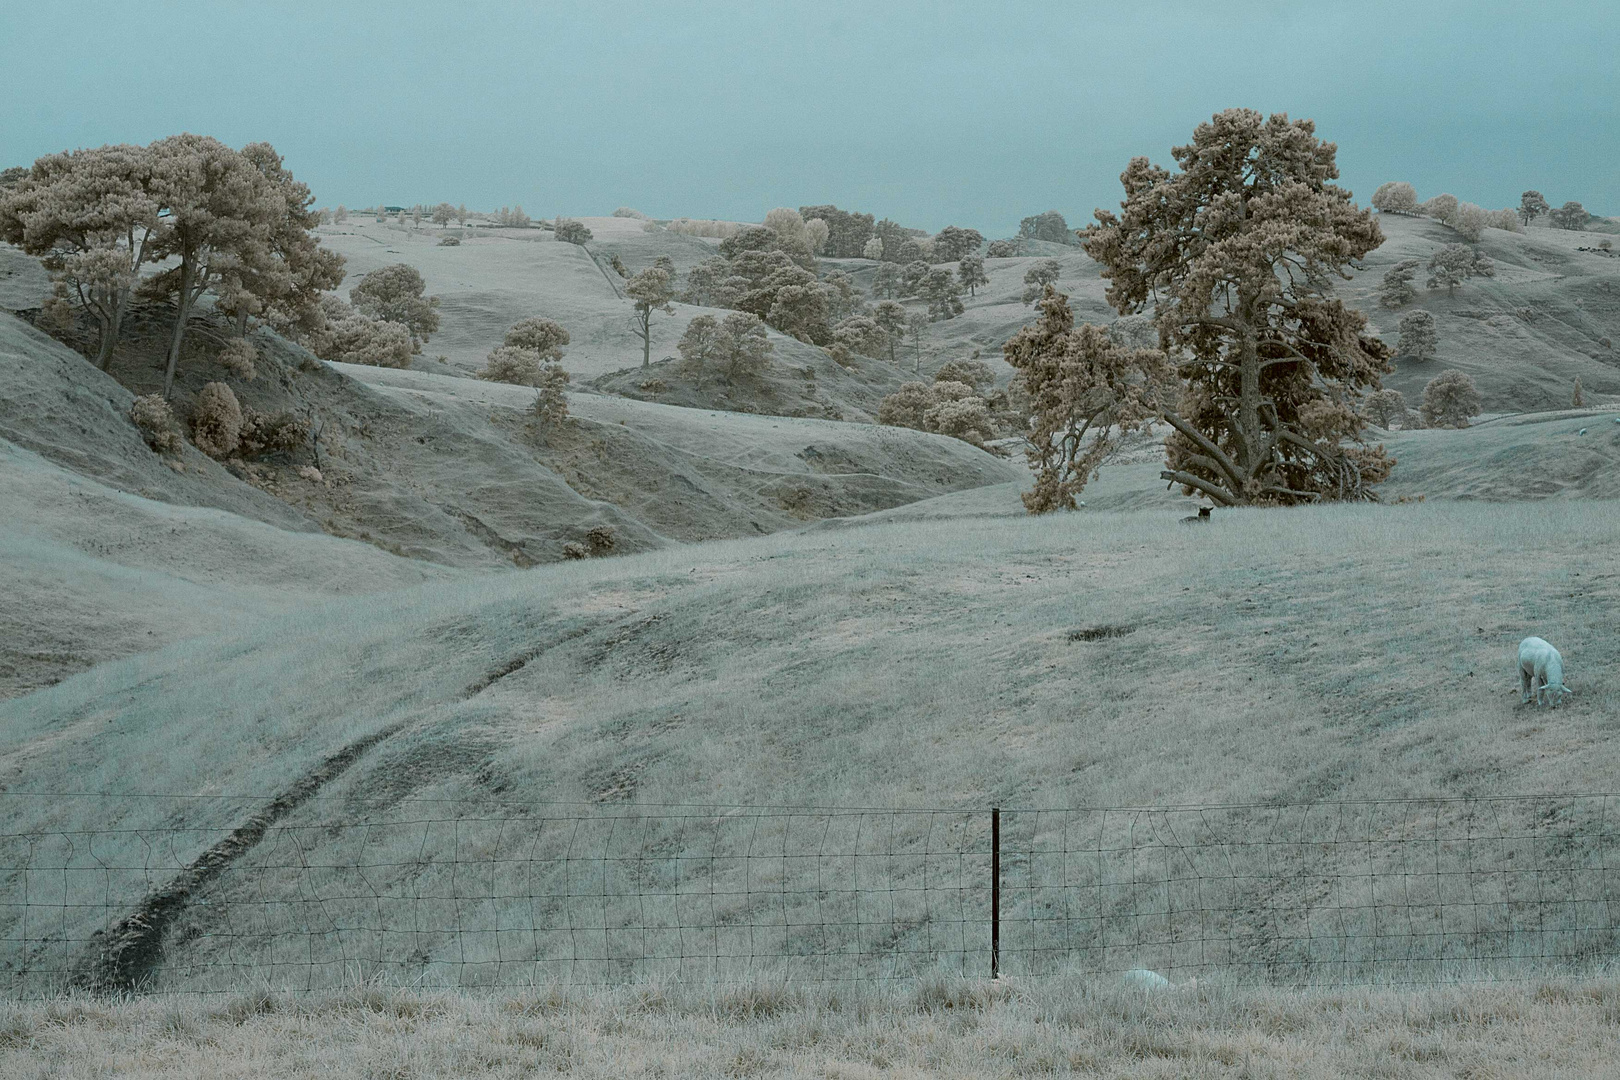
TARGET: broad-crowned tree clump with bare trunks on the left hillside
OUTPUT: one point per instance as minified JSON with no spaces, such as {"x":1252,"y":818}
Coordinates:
{"x":207,"y":216}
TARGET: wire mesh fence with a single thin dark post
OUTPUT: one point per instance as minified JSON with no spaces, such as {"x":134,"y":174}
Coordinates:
{"x":176,"y":896}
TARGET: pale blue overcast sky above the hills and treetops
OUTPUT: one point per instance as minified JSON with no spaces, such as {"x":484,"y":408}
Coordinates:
{"x":932,"y":114}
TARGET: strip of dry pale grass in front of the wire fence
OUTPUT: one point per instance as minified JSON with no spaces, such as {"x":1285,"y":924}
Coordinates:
{"x":1530,"y":1031}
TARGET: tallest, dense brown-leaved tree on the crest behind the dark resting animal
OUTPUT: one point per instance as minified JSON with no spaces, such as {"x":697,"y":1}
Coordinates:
{"x":1235,"y":255}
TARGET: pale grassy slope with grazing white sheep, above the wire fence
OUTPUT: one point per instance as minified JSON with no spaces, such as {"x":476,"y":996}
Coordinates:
{"x":1315,"y":655}
